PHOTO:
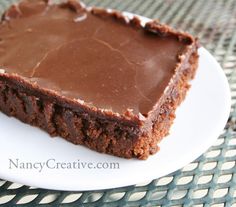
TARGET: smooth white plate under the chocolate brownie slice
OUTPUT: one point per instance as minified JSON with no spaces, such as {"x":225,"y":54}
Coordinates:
{"x":200,"y":120}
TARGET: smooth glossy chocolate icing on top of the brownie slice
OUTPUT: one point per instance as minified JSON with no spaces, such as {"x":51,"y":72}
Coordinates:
{"x":93,"y":58}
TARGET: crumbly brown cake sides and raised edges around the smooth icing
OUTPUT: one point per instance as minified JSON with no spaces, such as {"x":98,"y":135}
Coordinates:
{"x":127,"y":134}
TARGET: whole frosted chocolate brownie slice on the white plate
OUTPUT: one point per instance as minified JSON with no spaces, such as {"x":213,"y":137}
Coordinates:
{"x":93,"y":77}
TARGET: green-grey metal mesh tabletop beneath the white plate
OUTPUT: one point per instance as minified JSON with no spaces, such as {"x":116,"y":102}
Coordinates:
{"x":208,"y":181}
